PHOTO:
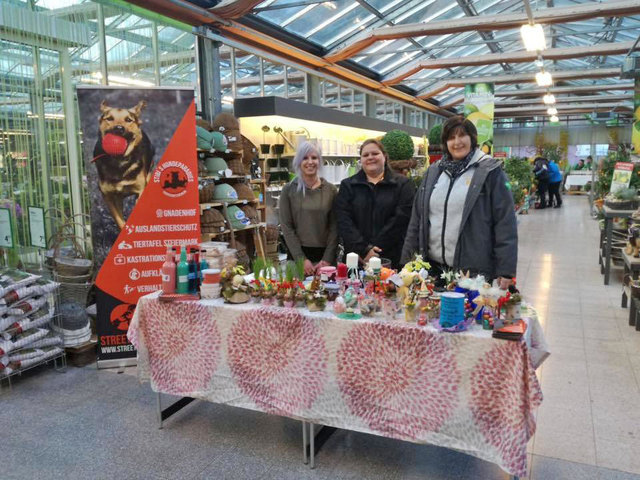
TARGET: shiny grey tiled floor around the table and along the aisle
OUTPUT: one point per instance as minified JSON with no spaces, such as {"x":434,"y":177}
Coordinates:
{"x":95,"y":424}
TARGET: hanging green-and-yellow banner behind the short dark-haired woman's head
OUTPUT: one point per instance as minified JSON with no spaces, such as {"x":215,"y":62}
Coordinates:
{"x":478,"y":107}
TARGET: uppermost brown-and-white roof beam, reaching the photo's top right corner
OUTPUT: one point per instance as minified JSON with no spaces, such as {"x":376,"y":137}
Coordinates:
{"x":484,"y":23}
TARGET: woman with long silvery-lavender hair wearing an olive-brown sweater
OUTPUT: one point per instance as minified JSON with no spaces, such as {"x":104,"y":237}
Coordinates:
{"x":306,"y":211}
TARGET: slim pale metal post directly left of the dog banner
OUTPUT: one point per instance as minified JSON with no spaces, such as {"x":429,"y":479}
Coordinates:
{"x":74,"y":156}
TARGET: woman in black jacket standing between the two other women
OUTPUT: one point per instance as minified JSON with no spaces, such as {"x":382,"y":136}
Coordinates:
{"x":373,"y":207}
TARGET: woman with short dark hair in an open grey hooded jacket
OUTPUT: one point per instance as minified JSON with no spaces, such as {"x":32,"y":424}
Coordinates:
{"x":463,"y":216}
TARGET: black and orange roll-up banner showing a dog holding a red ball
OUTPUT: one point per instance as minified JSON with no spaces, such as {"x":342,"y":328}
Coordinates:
{"x":139,"y":147}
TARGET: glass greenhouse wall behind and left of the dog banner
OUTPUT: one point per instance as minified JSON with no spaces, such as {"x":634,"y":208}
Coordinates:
{"x":103,"y":44}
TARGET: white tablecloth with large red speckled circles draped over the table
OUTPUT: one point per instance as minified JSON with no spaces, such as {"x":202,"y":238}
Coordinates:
{"x":465,"y":391}
